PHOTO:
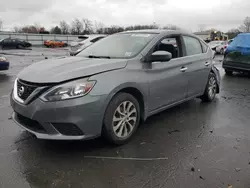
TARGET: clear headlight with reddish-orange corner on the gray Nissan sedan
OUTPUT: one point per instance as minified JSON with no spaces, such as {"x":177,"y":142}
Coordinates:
{"x":69,"y":90}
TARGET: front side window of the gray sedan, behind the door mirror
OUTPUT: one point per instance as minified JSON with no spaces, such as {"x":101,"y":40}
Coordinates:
{"x":170,"y":45}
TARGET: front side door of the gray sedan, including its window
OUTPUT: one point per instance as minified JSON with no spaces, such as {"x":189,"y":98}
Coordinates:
{"x":168,"y":80}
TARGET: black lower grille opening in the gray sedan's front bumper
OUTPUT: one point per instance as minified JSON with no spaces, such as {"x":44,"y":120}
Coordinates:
{"x":30,"y":124}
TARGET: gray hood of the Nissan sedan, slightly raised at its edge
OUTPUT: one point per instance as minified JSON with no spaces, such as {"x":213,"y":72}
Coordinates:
{"x":67,"y":68}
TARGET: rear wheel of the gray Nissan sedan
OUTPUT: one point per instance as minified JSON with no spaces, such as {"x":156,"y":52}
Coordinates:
{"x":211,"y":88}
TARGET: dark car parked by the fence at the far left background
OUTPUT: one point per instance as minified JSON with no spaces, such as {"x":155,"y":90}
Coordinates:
{"x":10,"y":43}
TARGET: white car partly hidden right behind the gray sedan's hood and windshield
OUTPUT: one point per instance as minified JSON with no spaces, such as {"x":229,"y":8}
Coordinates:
{"x":83,"y":42}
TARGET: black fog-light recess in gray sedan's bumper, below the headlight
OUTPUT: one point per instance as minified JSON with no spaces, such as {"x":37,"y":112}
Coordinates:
{"x":68,"y":129}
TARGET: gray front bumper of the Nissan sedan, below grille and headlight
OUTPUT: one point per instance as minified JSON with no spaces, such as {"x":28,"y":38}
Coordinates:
{"x":75,"y":119}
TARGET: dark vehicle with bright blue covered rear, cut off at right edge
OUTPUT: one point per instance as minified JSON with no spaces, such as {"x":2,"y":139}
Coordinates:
{"x":237,"y":55}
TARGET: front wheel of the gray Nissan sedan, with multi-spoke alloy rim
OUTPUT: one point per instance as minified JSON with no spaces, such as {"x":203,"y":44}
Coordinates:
{"x":117,"y":121}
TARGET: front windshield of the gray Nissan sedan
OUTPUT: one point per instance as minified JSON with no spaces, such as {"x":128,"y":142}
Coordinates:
{"x":124,"y":45}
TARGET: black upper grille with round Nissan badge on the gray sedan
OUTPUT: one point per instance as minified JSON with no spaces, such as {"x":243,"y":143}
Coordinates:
{"x":24,"y":90}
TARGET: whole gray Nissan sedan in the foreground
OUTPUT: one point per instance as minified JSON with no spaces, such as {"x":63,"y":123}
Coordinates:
{"x":113,"y":85}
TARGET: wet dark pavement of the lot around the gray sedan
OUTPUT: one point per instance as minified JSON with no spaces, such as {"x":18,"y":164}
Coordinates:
{"x":192,"y":145}
